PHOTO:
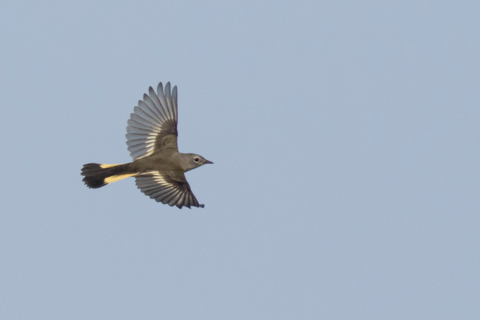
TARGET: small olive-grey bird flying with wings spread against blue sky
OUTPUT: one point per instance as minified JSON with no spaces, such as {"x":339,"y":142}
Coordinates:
{"x":158,"y":167}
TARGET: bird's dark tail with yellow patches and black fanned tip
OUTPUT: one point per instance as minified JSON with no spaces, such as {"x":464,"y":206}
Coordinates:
{"x":98,"y":175}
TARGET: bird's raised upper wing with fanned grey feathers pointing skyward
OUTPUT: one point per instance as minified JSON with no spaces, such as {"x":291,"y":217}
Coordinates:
{"x":152,"y":126}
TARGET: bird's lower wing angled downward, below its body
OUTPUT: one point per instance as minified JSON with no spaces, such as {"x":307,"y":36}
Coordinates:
{"x":168,"y":188}
